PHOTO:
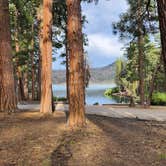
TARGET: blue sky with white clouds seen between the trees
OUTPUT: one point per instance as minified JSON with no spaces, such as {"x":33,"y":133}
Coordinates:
{"x":104,"y":48}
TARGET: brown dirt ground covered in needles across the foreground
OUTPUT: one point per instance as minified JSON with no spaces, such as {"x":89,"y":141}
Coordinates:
{"x":28,"y":139}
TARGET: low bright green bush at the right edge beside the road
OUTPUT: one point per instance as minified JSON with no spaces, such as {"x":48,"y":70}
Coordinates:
{"x":158,"y":98}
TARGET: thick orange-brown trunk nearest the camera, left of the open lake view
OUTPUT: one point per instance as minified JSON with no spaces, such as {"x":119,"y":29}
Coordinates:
{"x":76,"y":70}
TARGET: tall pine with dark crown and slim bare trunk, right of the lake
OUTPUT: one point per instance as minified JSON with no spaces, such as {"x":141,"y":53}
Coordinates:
{"x":134,"y":25}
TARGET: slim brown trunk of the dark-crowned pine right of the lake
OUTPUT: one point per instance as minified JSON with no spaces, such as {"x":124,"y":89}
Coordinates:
{"x":141,"y":53}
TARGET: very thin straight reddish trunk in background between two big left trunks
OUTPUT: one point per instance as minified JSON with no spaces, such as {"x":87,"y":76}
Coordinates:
{"x":32,"y":65}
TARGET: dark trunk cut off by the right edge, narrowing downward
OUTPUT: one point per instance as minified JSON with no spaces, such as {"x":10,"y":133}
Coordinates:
{"x":162,"y":22}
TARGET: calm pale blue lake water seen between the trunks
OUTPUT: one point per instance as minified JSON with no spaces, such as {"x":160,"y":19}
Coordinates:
{"x":94,"y":93}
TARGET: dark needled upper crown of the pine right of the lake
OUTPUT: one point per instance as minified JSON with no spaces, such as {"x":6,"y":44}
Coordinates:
{"x":127,"y":27}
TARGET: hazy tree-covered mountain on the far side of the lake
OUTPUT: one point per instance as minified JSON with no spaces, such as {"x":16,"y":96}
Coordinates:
{"x":101,"y":75}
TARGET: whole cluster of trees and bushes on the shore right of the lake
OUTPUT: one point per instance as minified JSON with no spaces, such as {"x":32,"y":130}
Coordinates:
{"x":140,"y":73}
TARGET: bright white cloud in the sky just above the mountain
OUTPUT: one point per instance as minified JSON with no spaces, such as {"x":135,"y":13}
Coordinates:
{"x":107,"y":46}
